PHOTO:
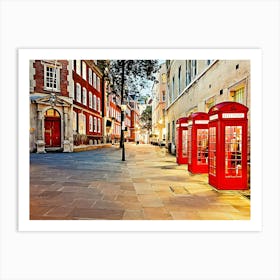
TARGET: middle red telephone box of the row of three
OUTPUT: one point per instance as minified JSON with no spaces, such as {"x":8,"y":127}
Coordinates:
{"x":198,"y":142}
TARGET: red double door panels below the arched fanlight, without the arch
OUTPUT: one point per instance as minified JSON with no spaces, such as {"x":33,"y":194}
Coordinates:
{"x":52,"y":132}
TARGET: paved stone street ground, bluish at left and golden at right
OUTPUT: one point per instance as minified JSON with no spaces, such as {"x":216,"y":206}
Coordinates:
{"x":149,"y":185}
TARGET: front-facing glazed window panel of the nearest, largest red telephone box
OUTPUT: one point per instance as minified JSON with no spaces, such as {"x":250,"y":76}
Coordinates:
{"x":233,"y":151}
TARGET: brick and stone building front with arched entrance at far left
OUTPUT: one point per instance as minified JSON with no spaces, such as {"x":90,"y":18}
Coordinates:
{"x":51,"y":105}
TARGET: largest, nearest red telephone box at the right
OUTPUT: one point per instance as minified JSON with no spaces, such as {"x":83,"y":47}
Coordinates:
{"x":228,"y":126}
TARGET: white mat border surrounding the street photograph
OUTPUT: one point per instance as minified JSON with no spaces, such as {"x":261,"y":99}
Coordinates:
{"x":254,"y":55}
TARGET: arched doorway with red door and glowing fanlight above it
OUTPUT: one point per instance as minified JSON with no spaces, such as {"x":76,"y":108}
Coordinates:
{"x":52,"y":128}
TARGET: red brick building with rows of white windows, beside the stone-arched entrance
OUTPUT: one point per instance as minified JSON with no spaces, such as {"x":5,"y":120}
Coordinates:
{"x":87,"y":102}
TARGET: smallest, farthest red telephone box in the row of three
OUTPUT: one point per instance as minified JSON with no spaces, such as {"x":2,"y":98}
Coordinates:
{"x":181,"y":140}
